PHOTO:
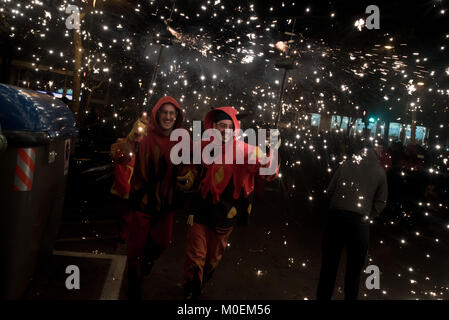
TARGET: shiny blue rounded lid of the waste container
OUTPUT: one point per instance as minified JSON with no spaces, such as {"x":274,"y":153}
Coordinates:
{"x":30,"y":111}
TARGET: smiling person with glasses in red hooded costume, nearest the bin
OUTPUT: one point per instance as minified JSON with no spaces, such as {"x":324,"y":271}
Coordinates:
{"x":153,"y":193}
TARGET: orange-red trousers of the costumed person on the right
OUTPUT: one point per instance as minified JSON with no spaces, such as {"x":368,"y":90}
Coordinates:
{"x":204,"y":250}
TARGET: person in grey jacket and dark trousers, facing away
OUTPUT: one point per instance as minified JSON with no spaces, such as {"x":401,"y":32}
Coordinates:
{"x":358,"y":192}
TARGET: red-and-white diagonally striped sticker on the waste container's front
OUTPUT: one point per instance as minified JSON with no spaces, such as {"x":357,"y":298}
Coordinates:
{"x":23,"y":180}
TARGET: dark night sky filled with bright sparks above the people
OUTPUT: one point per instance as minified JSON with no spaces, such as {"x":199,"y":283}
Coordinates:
{"x":228,"y":54}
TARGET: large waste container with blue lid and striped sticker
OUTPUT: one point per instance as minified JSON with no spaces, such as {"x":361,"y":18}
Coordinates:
{"x":39,"y":131}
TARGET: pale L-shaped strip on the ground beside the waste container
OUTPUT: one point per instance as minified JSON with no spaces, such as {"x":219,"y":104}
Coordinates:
{"x":114,"y":279}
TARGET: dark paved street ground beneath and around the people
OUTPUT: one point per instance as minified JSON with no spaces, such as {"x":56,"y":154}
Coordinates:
{"x":276,"y":257}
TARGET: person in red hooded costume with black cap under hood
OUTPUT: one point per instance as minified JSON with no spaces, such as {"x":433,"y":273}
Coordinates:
{"x":224,"y":196}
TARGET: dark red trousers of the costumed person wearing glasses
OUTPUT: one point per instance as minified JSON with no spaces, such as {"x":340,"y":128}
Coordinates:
{"x":144,"y":231}
